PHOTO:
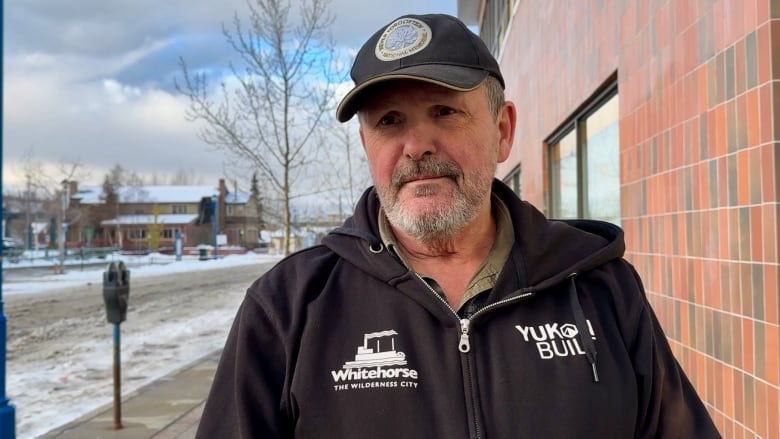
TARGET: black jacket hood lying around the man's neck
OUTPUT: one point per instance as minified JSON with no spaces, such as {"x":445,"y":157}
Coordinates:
{"x":548,"y":251}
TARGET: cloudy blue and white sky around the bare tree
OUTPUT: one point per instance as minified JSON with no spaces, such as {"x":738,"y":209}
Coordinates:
{"x":91,"y":81}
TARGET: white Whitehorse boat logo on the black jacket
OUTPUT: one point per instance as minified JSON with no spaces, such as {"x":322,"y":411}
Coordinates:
{"x":377,"y":364}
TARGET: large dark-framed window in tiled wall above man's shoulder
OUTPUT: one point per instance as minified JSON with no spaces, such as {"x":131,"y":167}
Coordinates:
{"x":584,"y":163}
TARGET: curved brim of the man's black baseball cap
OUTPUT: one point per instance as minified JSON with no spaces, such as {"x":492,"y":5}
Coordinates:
{"x":453,"y":77}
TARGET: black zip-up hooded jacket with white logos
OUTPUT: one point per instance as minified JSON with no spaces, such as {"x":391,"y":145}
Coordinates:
{"x":342,"y":341}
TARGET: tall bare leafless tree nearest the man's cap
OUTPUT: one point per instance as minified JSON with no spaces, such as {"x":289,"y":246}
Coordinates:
{"x":267,"y":115}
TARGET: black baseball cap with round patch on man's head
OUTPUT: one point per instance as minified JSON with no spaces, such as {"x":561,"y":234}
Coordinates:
{"x":435,"y":48}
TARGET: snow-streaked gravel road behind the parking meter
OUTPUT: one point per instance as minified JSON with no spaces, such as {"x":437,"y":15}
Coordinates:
{"x":60,"y":346}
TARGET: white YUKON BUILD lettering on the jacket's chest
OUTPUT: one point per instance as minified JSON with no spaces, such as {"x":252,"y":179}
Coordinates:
{"x":555,"y":340}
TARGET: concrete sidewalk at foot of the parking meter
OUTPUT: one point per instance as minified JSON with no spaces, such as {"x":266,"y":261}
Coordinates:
{"x":168,"y":408}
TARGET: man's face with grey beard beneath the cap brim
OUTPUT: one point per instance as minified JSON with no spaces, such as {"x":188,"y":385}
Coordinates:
{"x":433,"y":154}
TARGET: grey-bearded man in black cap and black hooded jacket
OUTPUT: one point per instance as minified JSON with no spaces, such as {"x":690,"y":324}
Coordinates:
{"x":445,"y":307}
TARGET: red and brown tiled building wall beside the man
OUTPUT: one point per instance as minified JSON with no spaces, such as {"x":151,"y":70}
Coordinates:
{"x":699,"y":97}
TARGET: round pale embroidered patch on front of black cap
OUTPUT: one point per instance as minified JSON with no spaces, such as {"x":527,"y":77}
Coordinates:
{"x":403,"y":37}
